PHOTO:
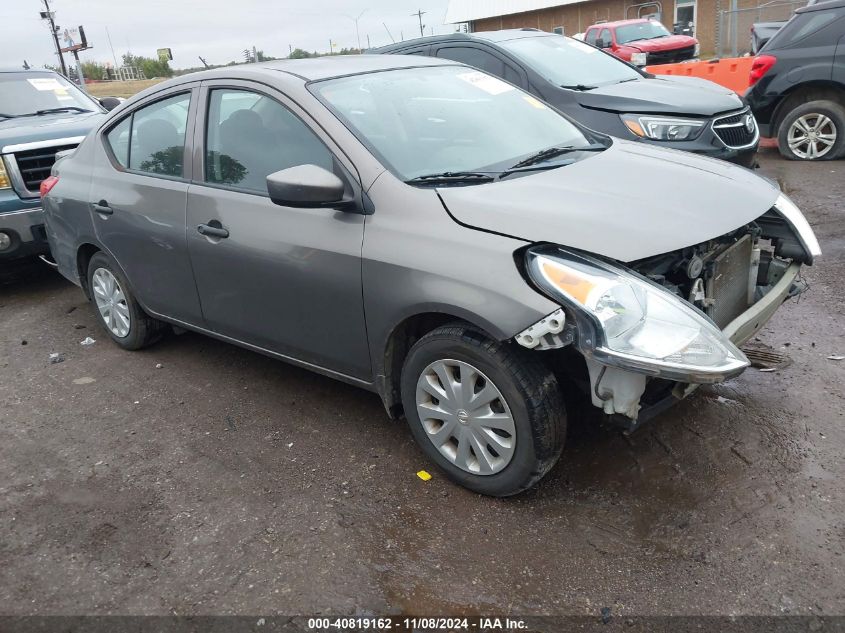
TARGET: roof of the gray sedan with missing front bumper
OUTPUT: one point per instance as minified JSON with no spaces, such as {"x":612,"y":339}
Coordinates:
{"x":317,"y":68}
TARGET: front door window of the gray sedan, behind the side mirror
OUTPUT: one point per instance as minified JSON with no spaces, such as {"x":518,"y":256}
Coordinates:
{"x":250,"y":136}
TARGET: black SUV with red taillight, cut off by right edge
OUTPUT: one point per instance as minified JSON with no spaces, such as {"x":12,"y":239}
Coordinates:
{"x":797,"y":87}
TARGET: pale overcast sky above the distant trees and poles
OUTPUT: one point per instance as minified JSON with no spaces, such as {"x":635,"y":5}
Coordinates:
{"x":219,"y":30}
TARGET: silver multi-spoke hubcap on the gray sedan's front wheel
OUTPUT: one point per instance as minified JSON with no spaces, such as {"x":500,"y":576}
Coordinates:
{"x":466,"y":417}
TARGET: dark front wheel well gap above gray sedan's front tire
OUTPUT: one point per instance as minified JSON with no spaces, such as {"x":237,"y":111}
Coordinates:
{"x":401,"y":341}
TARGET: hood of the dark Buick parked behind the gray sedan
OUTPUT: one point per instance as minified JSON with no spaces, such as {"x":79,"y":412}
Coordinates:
{"x":662,"y":95}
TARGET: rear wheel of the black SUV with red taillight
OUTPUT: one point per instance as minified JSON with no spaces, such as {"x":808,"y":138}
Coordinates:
{"x":799,"y":127}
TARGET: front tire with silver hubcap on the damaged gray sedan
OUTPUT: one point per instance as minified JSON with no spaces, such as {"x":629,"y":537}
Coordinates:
{"x":528,"y":392}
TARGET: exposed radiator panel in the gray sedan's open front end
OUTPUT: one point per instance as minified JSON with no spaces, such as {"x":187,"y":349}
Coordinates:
{"x":728,"y":286}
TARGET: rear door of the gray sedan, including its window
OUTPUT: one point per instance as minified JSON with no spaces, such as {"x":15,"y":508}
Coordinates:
{"x":138,"y":199}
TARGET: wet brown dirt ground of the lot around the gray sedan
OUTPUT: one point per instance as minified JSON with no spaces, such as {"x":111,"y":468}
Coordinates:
{"x":225,"y":482}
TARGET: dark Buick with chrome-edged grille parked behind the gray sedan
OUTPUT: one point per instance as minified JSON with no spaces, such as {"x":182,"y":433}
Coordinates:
{"x":604,"y":93}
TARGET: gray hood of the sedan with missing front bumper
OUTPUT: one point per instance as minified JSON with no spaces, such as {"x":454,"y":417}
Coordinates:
{"x":629,"y":202}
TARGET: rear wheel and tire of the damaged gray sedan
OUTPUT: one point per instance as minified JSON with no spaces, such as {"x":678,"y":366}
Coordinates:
{"x":141,"y":330}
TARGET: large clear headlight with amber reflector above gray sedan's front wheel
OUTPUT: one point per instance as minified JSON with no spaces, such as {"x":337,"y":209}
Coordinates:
{"x":628,"y":322}
